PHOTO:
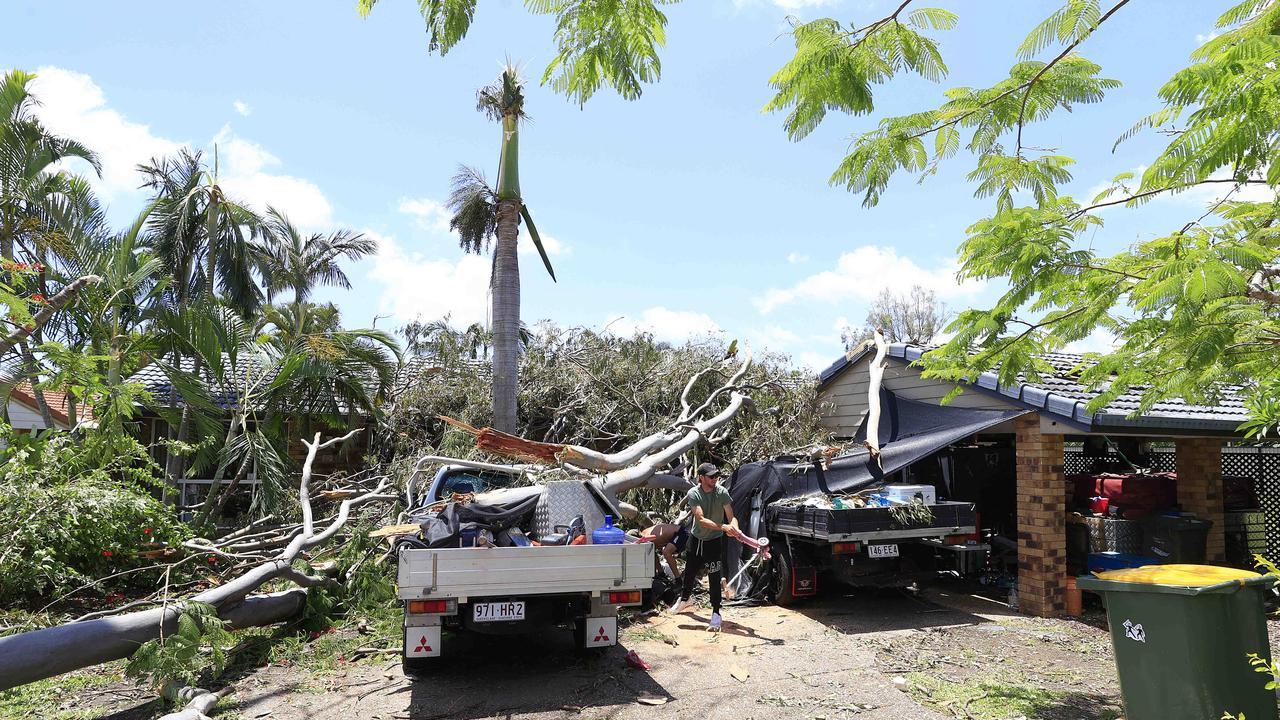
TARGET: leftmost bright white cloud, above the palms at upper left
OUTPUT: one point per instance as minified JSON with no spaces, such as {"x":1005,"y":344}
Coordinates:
{"x":74,"y":106}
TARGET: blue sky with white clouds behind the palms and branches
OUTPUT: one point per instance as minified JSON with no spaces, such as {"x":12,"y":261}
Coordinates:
{"x":685,"y":212}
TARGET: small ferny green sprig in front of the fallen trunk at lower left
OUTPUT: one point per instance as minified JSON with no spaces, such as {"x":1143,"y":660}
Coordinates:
{"x":196,"y":649}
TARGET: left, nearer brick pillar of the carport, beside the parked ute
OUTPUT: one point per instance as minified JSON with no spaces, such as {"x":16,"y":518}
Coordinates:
{"x":1043,"y":498}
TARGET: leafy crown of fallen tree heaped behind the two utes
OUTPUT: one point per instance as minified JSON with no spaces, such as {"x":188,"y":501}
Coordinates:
{"x":606,"y":391}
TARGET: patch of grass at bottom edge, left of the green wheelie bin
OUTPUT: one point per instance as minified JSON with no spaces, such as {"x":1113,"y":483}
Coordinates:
{"x":1003,"y":698}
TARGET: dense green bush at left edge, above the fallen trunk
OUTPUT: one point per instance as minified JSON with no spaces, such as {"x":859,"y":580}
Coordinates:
{"x":75,"y":511}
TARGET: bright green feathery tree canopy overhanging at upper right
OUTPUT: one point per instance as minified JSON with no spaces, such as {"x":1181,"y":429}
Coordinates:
{"x":1194,"y":311}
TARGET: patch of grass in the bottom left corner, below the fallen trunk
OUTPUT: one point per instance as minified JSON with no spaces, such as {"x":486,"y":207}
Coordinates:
{"x":49,"y":699}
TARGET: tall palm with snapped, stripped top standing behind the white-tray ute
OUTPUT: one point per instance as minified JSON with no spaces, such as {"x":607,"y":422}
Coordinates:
{"x":482,"y":215}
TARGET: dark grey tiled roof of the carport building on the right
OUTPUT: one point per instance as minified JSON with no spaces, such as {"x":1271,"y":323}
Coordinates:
{"x":1063,"y":397}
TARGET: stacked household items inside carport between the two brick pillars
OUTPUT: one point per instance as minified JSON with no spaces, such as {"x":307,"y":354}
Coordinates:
{"x":1130,"y":521}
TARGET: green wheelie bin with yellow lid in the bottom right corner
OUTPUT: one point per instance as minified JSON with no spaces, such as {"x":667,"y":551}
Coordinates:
{"x":1182,"y":637}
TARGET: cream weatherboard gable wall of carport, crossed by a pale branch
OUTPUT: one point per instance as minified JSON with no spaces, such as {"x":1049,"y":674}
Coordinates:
{"x":844,"y":402}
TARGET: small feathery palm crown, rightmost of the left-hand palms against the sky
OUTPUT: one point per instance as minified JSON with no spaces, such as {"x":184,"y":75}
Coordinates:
{"x":291,"y":259}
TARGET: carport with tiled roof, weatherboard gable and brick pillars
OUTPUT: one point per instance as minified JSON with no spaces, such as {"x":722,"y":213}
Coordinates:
{"x":1055,"y":416}
